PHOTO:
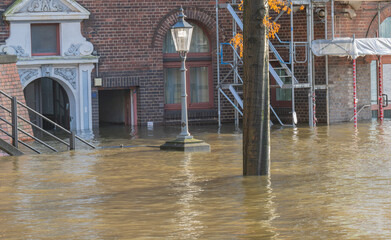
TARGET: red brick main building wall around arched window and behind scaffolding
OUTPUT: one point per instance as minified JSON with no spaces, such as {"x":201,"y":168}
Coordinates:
{"x":128,"y":36}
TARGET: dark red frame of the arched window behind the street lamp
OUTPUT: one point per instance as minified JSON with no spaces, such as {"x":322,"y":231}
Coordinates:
{"x":194,"y":59}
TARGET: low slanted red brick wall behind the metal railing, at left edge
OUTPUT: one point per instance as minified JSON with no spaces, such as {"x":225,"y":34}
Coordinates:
{"x":10,"y":84}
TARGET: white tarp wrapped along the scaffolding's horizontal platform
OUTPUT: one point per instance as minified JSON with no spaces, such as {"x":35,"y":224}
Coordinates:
{"x":352,"y":47}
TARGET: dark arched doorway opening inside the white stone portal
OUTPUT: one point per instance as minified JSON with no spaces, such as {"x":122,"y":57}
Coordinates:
{"x":49,"y":98}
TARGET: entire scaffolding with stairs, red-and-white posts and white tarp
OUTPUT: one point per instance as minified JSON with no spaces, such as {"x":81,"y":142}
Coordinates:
{"x":230,"y":87}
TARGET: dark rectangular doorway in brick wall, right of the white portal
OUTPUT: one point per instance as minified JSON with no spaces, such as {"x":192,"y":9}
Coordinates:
{"x":117,"y":107}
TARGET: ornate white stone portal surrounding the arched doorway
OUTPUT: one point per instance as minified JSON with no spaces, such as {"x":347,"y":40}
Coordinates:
{"x":71,"y":67}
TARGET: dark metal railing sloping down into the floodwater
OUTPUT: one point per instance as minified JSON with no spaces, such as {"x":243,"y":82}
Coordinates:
{"x":15,"y":128}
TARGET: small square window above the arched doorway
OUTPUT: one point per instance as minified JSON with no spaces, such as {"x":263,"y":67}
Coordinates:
{"x":45,"y":39}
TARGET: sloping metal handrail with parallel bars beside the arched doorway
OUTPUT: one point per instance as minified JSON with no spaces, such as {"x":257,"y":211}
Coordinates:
{"x":13,"y":148}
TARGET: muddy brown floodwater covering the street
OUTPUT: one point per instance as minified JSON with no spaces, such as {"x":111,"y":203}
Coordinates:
{"x":325,"y":183}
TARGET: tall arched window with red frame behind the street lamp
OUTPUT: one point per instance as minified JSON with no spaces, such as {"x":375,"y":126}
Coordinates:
{"x":198,"y":76}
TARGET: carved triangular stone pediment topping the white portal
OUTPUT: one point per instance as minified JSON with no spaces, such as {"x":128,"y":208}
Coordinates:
{"x":42,"y":10}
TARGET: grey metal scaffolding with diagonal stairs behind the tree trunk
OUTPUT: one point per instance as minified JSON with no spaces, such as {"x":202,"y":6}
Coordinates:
{"x":230,"y":84}
